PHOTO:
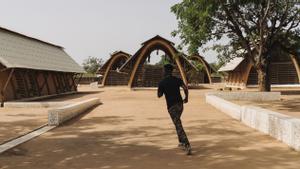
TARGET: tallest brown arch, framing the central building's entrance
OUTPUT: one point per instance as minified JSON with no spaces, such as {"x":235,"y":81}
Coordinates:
{"x":156,"y":43}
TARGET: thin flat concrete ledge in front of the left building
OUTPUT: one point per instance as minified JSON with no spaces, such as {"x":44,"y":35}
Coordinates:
{"x":34,"y":104}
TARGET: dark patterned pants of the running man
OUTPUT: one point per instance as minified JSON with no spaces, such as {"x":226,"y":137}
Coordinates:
{"x":175,"y":112}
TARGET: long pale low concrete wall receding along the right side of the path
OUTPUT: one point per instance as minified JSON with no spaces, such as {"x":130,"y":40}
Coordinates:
{"x":279,"y":126}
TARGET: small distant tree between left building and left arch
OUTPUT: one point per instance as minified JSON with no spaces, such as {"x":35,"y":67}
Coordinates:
{"x":92,"y":64}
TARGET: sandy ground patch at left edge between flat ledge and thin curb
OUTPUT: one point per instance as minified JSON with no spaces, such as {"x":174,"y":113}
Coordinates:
{"x":17,"y":121}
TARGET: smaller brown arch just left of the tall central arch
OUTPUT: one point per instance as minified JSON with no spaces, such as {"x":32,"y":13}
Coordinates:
{"x":112,"y":62}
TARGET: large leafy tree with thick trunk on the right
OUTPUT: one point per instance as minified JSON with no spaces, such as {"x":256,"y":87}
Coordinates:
{"x":253,"y":29}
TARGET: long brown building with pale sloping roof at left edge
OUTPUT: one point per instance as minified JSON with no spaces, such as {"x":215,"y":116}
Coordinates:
{"x":31,"y":68}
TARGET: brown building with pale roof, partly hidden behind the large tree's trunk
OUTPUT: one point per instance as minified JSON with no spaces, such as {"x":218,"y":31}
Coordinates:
{"x":284,"y":70}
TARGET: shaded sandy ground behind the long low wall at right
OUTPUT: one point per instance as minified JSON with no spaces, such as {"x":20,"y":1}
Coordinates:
{"x":289,"y":104}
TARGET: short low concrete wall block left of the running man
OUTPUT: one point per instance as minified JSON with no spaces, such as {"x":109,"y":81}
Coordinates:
{"x":59,"y":115}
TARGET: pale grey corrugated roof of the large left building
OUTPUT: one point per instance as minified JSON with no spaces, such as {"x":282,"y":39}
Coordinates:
{"x":21,"y":51}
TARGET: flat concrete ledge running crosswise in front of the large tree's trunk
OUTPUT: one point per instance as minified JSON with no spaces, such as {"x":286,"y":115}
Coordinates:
{"x":248,"y":96}
